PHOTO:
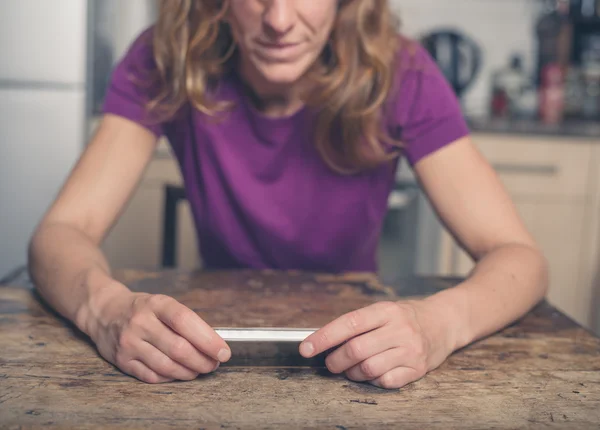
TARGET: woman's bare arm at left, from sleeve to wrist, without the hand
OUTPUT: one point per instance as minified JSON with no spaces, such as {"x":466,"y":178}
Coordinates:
{"x":65,"y":260}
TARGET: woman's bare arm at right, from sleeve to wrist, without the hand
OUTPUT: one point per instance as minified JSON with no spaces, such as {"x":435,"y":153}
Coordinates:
{"x":510,"y":275}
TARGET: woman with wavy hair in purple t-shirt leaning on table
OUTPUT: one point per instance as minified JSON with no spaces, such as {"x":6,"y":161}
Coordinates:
{"x":287,"y":118}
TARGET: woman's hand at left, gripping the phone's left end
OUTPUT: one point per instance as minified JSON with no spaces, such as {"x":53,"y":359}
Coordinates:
{"x":156,"y":339}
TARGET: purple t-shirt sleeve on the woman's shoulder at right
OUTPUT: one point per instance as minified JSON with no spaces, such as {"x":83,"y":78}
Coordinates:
{"x":426,"y":113}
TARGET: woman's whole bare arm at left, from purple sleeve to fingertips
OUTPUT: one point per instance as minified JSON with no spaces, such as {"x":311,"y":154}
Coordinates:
{"x":152,"y":337}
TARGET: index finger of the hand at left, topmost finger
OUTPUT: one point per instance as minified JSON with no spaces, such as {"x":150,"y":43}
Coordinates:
{"x":189,"y":325}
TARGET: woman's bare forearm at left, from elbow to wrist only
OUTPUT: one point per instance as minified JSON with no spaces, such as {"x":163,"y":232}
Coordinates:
{"x":70,"y":272}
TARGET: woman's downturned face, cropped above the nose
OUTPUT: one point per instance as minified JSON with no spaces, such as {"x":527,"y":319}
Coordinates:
{"x":281,"y":39}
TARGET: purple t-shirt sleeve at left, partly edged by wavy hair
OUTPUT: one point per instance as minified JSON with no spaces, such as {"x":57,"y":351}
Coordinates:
{"x":129,"y":88}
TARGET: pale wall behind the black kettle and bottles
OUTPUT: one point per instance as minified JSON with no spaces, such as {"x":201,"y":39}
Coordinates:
{"x":485,"y":21}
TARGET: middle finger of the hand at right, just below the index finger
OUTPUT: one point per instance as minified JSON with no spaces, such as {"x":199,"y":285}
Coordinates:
{"x":361,"y":348}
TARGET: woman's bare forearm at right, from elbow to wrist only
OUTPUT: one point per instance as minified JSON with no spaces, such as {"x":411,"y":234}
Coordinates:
{"x":504,"y":285}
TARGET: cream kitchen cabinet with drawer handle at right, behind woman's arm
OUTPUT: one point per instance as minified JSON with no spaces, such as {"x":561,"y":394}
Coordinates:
{"x":553,"y":182}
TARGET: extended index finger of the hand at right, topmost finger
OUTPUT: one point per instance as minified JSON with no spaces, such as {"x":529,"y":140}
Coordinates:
{"x":345,"y":327}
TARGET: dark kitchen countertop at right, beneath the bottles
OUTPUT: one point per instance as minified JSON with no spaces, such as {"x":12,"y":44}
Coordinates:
{"x":576,"y":129}
